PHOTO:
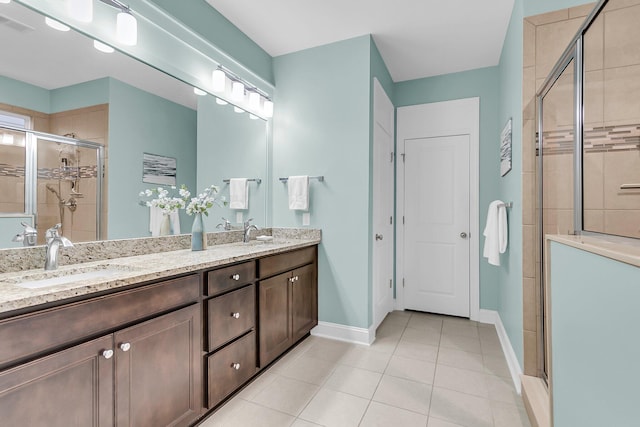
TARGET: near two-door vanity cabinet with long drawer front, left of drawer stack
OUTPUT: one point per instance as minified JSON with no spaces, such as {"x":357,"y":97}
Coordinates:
{"x":147,"y":374}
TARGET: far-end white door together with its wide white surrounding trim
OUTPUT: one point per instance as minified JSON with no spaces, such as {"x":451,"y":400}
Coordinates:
{"x":437,"y":247}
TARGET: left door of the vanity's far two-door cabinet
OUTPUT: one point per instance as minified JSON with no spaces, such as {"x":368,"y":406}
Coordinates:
{"x":274,"y":315}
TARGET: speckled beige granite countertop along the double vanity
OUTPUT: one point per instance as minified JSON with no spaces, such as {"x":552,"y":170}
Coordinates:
{"x":130,"y":270}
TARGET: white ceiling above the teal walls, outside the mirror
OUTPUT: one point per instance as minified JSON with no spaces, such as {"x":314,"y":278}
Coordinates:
{"x":417,"y":38}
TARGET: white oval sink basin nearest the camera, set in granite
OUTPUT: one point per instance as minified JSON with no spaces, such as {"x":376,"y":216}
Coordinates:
{"x":63,"y":277}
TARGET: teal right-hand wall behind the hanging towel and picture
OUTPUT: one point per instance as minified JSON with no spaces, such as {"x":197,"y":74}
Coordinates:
{"x":510,"y":186}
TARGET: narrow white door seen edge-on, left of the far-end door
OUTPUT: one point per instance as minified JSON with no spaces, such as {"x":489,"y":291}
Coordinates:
{"x":383,"y":238}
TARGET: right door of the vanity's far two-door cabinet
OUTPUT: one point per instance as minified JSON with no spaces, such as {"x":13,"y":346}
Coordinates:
{"x":304,"y":301}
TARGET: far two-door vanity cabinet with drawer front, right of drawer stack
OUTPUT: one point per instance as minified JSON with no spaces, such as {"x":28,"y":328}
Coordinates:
{"x":288,"y":302}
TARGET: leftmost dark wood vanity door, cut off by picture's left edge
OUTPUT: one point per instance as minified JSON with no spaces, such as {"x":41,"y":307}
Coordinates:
{"x":73,"y":387}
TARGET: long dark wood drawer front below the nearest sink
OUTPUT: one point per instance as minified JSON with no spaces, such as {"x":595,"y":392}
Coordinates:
{"x":56,"y":327}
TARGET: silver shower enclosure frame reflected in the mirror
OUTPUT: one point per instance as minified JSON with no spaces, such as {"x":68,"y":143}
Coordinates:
{"x":31,"y":171}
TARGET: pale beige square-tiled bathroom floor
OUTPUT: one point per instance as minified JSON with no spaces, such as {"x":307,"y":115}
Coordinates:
{"x":423,"y":370}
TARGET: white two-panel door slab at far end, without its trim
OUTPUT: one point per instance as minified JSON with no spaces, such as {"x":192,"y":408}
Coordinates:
{"x":437,"y":224}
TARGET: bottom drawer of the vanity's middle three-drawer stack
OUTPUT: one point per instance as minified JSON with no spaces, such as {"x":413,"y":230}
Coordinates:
{"x":230,"y":367}
